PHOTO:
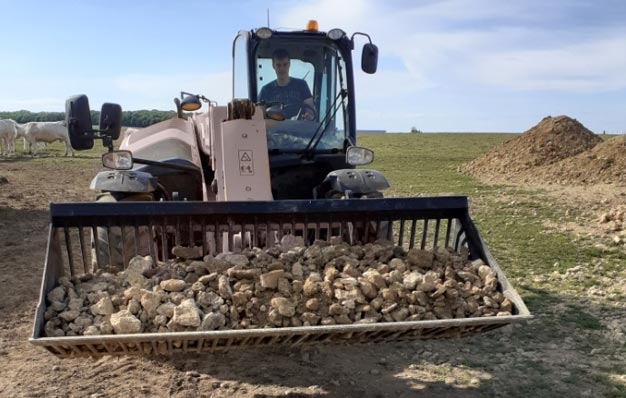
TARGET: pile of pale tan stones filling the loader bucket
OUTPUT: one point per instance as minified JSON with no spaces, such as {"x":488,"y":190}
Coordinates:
{"x":327,"y":283}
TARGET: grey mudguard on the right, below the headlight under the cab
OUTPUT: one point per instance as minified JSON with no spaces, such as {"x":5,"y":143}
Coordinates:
{"x":357,"y":181}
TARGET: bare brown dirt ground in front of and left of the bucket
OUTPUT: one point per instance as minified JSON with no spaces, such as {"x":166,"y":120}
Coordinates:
{"x":503,"y":359}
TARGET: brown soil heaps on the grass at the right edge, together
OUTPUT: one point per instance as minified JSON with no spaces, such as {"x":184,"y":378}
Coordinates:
{"x":568,"y":162}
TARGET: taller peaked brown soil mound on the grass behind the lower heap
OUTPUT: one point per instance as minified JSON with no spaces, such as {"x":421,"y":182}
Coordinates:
{"x":550,"y":141}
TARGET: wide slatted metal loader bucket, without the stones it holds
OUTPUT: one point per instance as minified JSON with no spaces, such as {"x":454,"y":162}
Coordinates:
{"x":425,"y":222}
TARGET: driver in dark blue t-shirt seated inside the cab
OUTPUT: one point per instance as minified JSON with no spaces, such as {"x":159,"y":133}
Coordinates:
{"x":292,"y":92}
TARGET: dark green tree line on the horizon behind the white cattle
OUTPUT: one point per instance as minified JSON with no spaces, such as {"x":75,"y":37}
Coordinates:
{"x":140,"y":118}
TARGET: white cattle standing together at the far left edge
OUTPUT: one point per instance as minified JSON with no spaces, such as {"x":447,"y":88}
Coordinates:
{"x":33,"y":134}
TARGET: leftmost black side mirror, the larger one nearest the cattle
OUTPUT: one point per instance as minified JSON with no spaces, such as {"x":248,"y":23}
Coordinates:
{"x":78,"y":120}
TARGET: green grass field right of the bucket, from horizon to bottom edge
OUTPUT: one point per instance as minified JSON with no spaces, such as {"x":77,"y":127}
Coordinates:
{"x":568,"y":280}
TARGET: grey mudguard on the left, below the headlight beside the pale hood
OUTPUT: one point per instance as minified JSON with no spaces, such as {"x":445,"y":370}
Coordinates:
{"x":124,"y":181}
